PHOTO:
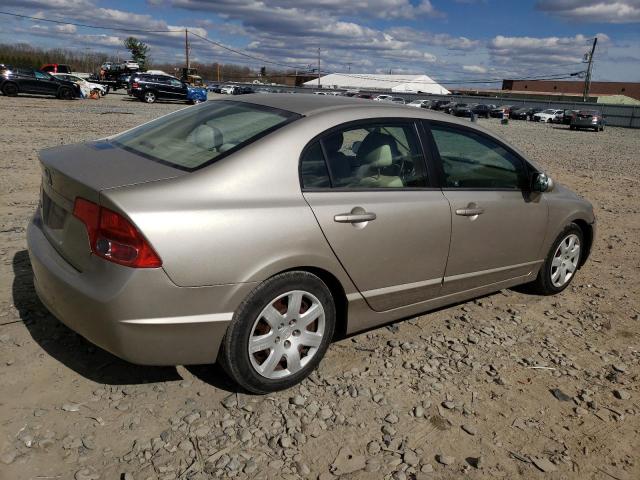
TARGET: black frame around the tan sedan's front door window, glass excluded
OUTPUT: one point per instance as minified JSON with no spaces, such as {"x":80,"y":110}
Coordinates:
{"x":529,"y":170}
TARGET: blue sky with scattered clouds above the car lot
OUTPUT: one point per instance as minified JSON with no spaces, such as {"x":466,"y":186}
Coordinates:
{"x":456,"y":42}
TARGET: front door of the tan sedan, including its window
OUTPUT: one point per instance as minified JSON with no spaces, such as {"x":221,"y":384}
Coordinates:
{"x":498,"y":224}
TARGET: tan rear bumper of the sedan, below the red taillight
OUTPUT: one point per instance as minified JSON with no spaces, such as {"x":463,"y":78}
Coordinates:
{"x":138,"y":315}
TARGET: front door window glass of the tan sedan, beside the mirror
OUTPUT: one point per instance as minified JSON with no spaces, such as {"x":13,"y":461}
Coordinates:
{"x":474,"y":160}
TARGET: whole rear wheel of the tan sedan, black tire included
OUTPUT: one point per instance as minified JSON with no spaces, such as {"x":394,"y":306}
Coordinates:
{"x":265,"y":312}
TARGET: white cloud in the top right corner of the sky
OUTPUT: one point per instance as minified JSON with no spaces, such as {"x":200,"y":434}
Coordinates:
{"x":593,"y":11}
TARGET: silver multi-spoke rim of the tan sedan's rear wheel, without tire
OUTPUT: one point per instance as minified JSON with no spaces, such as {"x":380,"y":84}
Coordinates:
{"x":287,"y":334}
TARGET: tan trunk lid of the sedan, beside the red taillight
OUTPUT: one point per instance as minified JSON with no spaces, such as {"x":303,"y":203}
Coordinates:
{"x":84,"y":170}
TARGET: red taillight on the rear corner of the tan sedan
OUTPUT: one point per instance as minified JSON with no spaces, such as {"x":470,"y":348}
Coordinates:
{"x":114,"y":238}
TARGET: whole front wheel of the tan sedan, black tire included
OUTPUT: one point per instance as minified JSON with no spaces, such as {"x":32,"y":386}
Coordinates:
{"x":560,"y":258}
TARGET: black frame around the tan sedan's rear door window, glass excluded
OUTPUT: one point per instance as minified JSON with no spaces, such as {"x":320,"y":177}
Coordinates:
{"x":412,"y":122}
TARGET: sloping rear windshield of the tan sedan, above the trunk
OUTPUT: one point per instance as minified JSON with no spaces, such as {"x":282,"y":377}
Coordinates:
{"x":197,"y":136}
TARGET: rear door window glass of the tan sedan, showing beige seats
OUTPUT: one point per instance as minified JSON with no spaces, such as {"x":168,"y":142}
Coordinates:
{"x":376,"y":155}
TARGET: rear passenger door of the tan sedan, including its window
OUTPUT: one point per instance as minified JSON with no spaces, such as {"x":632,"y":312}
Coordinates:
{"x":388,"y":225}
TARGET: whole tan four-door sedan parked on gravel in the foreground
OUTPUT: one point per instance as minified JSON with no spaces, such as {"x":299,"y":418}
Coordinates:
{"x":253,"y":231}
